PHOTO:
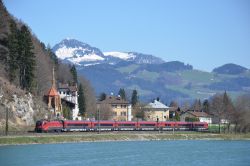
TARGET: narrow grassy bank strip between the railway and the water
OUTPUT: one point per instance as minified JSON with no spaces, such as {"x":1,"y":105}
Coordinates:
{"x":92,"y":137}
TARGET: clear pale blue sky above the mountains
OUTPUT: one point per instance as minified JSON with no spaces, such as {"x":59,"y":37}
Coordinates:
{"x":203,"y":33}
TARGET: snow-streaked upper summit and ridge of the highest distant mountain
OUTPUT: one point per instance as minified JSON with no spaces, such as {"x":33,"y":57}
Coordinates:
{"x":79,"y":53}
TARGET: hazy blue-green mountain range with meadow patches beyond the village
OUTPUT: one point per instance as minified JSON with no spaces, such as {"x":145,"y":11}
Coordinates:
{"x":153,"y":77}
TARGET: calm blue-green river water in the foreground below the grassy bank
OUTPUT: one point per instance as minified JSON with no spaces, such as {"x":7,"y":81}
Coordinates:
{"x":139,"y":153}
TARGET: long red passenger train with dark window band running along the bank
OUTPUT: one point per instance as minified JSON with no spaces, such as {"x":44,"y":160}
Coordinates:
{"x":70,"y":125}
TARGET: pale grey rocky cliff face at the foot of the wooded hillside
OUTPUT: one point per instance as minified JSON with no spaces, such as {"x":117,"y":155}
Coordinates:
{"x":23,"y":108}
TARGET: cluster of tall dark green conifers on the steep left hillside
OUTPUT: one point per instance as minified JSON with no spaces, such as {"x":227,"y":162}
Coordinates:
{"x":21,"y":59}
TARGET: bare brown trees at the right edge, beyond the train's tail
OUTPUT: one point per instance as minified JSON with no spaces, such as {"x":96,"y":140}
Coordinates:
{"x":223,"y":110}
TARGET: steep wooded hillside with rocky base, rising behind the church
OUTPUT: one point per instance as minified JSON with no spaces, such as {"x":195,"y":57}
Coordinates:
{"x":26,"y":66}
